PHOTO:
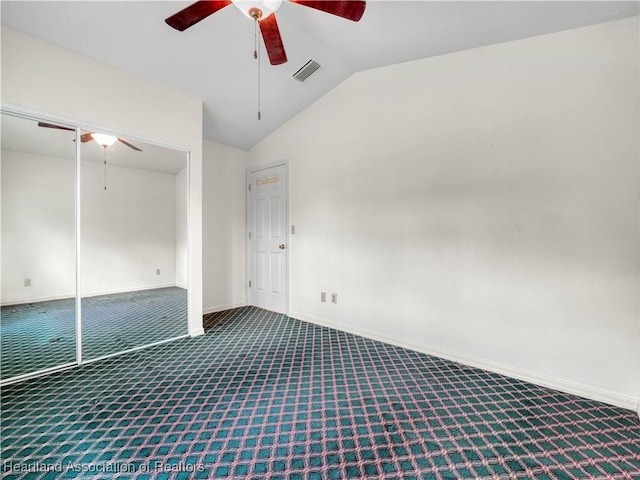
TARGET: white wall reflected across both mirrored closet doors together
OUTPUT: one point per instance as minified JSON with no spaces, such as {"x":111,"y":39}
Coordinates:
{"x":128,"y":230}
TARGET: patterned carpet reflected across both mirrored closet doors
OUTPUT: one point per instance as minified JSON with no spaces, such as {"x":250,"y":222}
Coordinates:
{"x":43,"y":334}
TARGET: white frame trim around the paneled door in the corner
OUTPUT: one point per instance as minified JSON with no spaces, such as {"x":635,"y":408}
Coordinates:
{"x":287,"y":282}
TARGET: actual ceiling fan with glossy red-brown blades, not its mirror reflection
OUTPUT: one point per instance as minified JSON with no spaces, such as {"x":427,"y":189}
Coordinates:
{"x":262,"y":11}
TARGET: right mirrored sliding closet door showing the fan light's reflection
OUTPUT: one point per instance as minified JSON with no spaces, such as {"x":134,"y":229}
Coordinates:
{"x":133,"y":237}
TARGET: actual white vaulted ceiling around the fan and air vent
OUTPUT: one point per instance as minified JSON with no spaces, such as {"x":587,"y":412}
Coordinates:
{"x":214,"y":59}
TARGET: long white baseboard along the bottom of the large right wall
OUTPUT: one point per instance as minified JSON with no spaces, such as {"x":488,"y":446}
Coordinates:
{"x":566,"y":386}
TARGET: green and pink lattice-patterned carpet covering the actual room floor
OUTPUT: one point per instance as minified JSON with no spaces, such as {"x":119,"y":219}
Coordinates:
{"x":262,"y":395}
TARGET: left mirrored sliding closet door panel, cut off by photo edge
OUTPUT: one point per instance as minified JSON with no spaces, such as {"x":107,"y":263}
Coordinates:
{"x":37,"y":167}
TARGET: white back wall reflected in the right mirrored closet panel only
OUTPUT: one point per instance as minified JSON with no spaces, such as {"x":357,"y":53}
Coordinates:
{"x":128,"y":231}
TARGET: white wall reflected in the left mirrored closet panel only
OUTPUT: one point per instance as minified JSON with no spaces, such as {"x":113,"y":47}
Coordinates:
{"x":38,"y":227}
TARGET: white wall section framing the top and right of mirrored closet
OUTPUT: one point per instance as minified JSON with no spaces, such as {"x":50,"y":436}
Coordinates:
{"x":46,"y":79}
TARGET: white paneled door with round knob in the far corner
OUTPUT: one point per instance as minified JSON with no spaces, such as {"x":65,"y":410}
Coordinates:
{"x":267,"y":202}
